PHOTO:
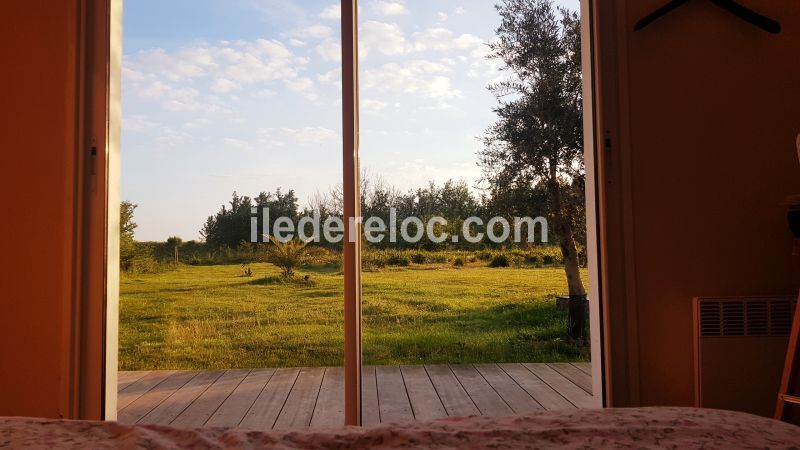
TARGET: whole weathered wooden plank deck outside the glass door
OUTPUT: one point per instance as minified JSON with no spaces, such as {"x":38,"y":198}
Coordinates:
{"x":264,"y":399}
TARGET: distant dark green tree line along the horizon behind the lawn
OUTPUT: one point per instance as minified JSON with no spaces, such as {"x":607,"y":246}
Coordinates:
{"x":230,"y":227}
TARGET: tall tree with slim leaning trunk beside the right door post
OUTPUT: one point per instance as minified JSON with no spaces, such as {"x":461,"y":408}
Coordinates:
{"x":534,"y":151}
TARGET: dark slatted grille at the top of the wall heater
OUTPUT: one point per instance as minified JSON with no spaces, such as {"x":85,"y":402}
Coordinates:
{"x":746,"y":316}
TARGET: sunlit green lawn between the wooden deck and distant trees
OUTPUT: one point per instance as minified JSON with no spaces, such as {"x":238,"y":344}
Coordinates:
{"x":209,"y":317}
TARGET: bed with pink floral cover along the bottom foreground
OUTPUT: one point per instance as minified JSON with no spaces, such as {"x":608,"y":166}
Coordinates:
{"x":610,"y":428}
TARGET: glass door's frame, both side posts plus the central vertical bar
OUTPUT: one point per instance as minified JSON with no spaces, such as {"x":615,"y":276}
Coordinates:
{"x":96,"y":346}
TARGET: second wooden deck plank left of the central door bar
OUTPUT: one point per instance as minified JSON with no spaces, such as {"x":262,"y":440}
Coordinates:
{"x":299,"y":406}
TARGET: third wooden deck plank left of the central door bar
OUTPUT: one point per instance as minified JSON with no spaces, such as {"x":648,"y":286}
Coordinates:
{"x":265,"y":410}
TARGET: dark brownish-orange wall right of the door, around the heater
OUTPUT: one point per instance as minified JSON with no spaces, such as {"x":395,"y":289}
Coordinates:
{"x":710,"y":109}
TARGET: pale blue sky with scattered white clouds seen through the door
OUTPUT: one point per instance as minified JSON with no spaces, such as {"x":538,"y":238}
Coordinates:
{"x":245,"y":95}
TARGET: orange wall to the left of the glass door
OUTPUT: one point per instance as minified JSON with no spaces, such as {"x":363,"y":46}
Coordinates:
{"x":37,"y":138}
